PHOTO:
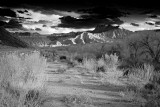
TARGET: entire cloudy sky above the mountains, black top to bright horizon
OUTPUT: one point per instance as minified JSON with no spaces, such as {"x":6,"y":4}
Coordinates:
{"x":64,"y":16}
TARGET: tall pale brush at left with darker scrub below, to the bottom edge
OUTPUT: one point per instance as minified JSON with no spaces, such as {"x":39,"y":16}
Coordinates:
{"x":22,"y":79}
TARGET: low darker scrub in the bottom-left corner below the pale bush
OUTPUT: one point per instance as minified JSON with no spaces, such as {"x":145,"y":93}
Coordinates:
{"x":17,"y":98}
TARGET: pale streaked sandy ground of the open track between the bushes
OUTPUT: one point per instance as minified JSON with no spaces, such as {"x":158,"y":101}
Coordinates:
{"x":75,"y":82}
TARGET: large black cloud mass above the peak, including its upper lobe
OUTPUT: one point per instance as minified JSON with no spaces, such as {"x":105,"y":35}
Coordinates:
{"x":94,"y":16}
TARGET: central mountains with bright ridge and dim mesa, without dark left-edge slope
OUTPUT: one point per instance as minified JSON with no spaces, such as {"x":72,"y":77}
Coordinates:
{"x":101,"y":34}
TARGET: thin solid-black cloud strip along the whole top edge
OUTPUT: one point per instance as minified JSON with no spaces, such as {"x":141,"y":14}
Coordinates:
{"x":81,"y":3}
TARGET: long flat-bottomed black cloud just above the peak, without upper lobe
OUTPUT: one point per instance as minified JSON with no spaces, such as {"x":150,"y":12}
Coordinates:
{"x":87,"y":22}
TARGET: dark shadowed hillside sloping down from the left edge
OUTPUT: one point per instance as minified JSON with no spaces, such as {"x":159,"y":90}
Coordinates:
{"x":7,"y":39}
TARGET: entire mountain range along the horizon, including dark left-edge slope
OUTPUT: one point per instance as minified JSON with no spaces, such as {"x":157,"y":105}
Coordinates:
{"x":101,"y":34}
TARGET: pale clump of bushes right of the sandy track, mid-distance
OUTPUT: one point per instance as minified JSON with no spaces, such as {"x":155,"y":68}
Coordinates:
{"x":104,"y":68}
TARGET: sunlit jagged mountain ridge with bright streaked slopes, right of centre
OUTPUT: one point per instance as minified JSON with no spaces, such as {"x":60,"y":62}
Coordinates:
{"x":109,"y":34}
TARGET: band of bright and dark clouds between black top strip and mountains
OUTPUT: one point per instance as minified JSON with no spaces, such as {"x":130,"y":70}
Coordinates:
{"x":48,"y":20}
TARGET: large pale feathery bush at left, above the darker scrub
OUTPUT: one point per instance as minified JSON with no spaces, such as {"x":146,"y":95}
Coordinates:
{"x":23,"y":70}
